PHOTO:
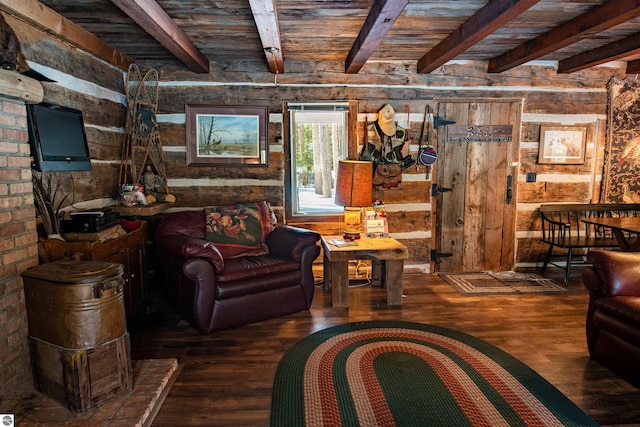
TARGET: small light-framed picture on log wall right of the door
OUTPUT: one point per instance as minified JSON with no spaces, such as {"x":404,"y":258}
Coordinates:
{"x":562,"y":145}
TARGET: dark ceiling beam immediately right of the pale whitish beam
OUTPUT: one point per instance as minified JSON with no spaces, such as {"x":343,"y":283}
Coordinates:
{"x":382,"y":15}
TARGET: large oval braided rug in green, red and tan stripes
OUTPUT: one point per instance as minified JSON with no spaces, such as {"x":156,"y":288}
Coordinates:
{"x":392,"y":373}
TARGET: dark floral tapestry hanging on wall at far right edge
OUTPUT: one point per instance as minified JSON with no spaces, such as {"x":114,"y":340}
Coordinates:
{"x":621,"y":175}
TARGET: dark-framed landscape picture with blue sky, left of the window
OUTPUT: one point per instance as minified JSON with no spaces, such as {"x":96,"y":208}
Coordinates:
{"x":226,"y":135}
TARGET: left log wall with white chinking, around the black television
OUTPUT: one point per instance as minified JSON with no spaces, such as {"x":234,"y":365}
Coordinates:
{"x":88,"y":84}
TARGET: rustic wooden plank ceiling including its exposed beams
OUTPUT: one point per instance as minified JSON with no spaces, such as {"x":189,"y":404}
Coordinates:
{"x":199,"y":35}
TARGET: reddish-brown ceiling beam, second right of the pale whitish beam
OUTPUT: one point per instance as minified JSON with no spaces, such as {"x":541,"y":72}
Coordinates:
{"x":484,"y":22}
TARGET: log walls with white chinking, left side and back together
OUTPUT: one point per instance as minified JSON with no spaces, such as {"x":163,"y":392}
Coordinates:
{"x":549,"y":98}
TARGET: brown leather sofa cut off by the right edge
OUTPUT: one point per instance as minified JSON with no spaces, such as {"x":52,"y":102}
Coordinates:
{"x":613,"y":317}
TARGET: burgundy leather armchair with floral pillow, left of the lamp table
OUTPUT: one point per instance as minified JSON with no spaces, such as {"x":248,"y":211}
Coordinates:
{"x":212,"y":292}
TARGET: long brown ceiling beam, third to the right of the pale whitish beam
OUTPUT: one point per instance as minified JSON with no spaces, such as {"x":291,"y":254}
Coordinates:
{"x":594,"y":21}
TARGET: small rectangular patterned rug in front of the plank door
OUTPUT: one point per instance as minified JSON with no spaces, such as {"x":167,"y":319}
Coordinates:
{"x":502,"y":282}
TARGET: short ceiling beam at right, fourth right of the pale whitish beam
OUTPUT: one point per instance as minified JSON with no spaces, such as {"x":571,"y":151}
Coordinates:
{"x":610,"y":52}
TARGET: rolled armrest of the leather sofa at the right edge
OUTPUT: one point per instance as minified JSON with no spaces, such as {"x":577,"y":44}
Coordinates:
{"x":618,"y":271}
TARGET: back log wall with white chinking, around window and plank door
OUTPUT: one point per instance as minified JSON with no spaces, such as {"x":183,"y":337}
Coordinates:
{"x":549,"y":99}
